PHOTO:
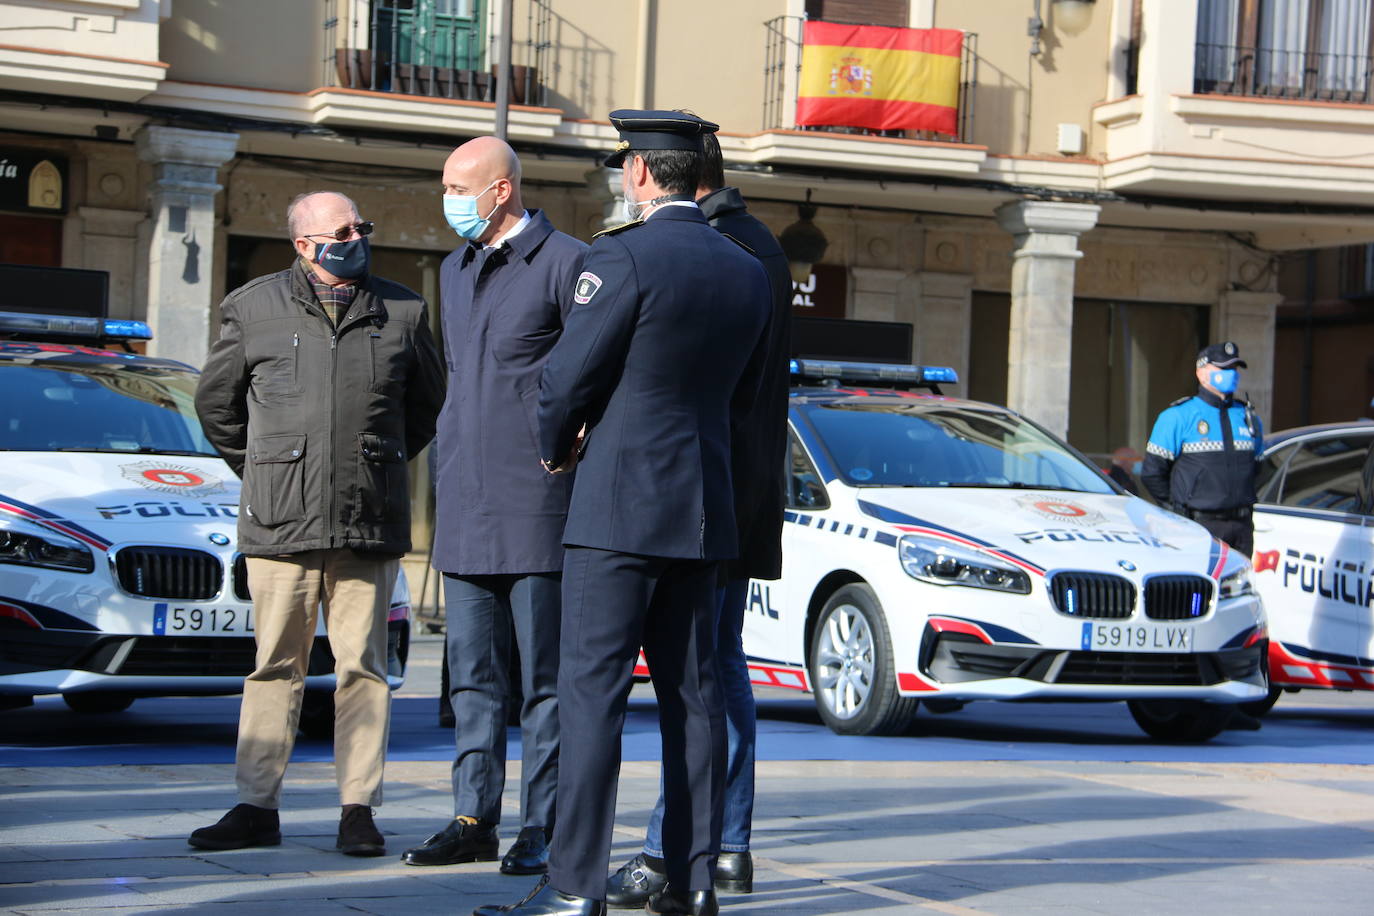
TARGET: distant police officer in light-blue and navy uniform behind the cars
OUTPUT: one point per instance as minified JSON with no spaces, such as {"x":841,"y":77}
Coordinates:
{"x":1200,"y":459}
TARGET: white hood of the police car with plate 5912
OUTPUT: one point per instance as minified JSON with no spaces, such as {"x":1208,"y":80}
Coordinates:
{"x":106,"y":499}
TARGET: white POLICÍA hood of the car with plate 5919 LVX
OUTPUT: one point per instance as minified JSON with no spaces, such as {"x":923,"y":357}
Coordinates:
{"x":1052,"y":529}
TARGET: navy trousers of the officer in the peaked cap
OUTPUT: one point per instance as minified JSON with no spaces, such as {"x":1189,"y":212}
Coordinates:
{"x":612,"y":605}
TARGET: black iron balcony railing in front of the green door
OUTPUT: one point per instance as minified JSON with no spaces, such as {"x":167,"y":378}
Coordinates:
{"x":421,"y":47}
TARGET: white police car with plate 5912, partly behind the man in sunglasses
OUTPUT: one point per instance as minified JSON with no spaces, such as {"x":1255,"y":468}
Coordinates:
{"x":119,"y":576}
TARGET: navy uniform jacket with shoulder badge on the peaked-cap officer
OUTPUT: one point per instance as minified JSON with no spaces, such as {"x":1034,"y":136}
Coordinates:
{"x":663,"y":344}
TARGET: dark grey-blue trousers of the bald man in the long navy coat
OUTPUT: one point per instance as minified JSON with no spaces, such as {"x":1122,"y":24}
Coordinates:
{"x":483,"y":613}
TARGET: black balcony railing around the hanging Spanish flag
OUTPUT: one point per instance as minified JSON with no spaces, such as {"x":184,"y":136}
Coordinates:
{"x":782,"y":53}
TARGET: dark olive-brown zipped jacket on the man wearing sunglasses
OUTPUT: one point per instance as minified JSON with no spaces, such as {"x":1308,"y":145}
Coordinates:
{"x":321,"y":420}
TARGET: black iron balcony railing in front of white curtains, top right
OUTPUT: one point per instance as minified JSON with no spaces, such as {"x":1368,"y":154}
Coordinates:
{"x":1274,"y":73}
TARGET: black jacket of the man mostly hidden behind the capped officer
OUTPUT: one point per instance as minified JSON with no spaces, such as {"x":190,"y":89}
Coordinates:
{"x":761,"y":442}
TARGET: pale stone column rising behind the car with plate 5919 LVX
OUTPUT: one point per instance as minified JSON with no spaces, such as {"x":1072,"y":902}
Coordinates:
{"x":1046,"y":236}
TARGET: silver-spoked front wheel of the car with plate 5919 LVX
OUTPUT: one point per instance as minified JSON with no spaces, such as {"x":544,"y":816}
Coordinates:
{"x":853,"y":671}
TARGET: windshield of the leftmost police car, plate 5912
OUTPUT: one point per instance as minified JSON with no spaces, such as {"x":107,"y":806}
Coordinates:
{"x":100,"y":407}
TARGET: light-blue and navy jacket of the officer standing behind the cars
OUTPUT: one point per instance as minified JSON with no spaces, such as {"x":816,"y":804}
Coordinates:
{"x":1202,"y":454}
